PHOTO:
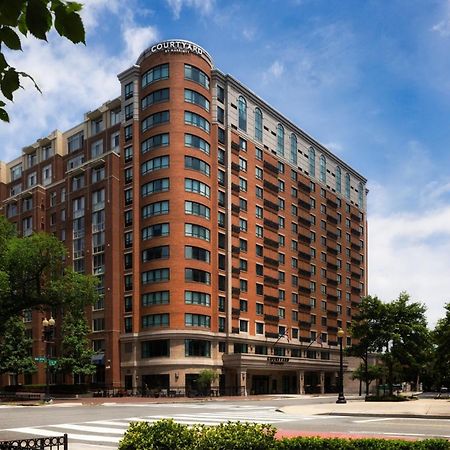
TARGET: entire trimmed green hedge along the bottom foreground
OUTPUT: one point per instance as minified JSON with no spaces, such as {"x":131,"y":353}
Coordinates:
{"x":169,"y":435}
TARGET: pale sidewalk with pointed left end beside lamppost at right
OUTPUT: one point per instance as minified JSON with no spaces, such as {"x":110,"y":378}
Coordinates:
{"x":429,"y":408}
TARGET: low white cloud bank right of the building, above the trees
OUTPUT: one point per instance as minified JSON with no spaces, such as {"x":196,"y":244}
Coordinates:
{"x":411,"y":251}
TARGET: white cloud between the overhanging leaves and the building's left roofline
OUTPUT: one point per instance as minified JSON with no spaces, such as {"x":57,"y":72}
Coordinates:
{"x":74,"y":78}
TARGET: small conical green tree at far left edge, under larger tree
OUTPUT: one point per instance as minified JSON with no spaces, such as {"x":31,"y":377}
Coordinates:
{"x":15,"y":349}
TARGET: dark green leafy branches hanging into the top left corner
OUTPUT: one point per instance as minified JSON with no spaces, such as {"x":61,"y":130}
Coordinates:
{"x":36,"y":17}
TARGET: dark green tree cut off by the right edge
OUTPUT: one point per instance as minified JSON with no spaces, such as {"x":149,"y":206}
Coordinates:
{"x":441,"y":337}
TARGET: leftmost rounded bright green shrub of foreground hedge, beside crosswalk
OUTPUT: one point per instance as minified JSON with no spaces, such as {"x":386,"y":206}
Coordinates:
{"x":161,"y":435}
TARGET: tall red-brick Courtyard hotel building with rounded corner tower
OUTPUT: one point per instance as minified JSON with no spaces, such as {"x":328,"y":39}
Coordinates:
{"x":223,"y":235}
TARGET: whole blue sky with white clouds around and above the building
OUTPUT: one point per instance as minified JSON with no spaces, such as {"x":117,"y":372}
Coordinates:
{"x":369,"y":79}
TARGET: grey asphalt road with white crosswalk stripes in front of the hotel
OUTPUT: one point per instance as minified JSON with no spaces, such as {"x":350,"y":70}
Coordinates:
{"x":105,"y":424}
